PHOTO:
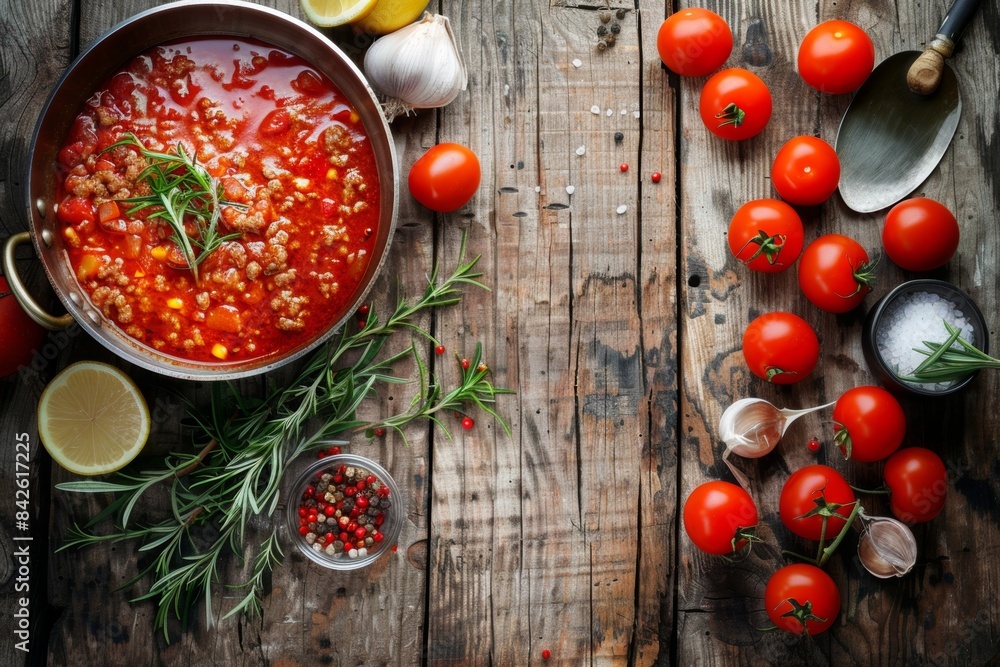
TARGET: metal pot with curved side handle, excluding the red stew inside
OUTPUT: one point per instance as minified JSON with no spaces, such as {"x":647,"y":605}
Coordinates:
{"x":187,"y":18}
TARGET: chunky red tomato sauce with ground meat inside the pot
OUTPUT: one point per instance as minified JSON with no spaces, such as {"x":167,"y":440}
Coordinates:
{"x":296,"y":174}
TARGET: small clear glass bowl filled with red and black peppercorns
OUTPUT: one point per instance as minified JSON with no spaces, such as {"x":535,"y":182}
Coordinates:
{"x":373,"y":517}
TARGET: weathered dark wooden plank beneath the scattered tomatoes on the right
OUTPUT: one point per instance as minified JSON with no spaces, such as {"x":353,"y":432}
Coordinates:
{"x":934,"y":614}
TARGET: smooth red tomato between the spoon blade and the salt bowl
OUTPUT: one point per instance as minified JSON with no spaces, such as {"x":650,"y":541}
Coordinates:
{"x":920,"y":234}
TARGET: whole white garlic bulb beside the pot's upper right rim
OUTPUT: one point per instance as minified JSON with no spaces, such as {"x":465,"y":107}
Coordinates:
{"x":417,"y":67}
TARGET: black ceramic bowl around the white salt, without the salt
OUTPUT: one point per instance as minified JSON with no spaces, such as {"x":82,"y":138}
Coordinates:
{"x":888,"y":305}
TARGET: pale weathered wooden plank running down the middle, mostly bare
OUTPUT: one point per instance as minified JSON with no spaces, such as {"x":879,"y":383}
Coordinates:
{"x":560,"y":539}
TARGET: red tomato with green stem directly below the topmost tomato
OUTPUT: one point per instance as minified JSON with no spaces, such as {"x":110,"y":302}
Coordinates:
{"x":735,"y":104}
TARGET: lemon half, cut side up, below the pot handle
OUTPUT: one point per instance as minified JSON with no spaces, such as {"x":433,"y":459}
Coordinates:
{"x":92,"y":418}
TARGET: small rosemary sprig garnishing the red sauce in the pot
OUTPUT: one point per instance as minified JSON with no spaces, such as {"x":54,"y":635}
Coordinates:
{"x":181,"y":190}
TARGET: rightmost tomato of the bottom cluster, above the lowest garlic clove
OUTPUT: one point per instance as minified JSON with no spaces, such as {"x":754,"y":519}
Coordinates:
{"x":918,"y":484}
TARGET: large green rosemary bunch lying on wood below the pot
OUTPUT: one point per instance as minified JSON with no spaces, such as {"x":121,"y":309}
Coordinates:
{"x":214,"y":493}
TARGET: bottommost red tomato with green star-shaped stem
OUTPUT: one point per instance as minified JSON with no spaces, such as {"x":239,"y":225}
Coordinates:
{"x":802,"y":599}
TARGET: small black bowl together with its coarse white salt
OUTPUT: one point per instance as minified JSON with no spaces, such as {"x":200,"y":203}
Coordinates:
{"x":912,"y":313}
